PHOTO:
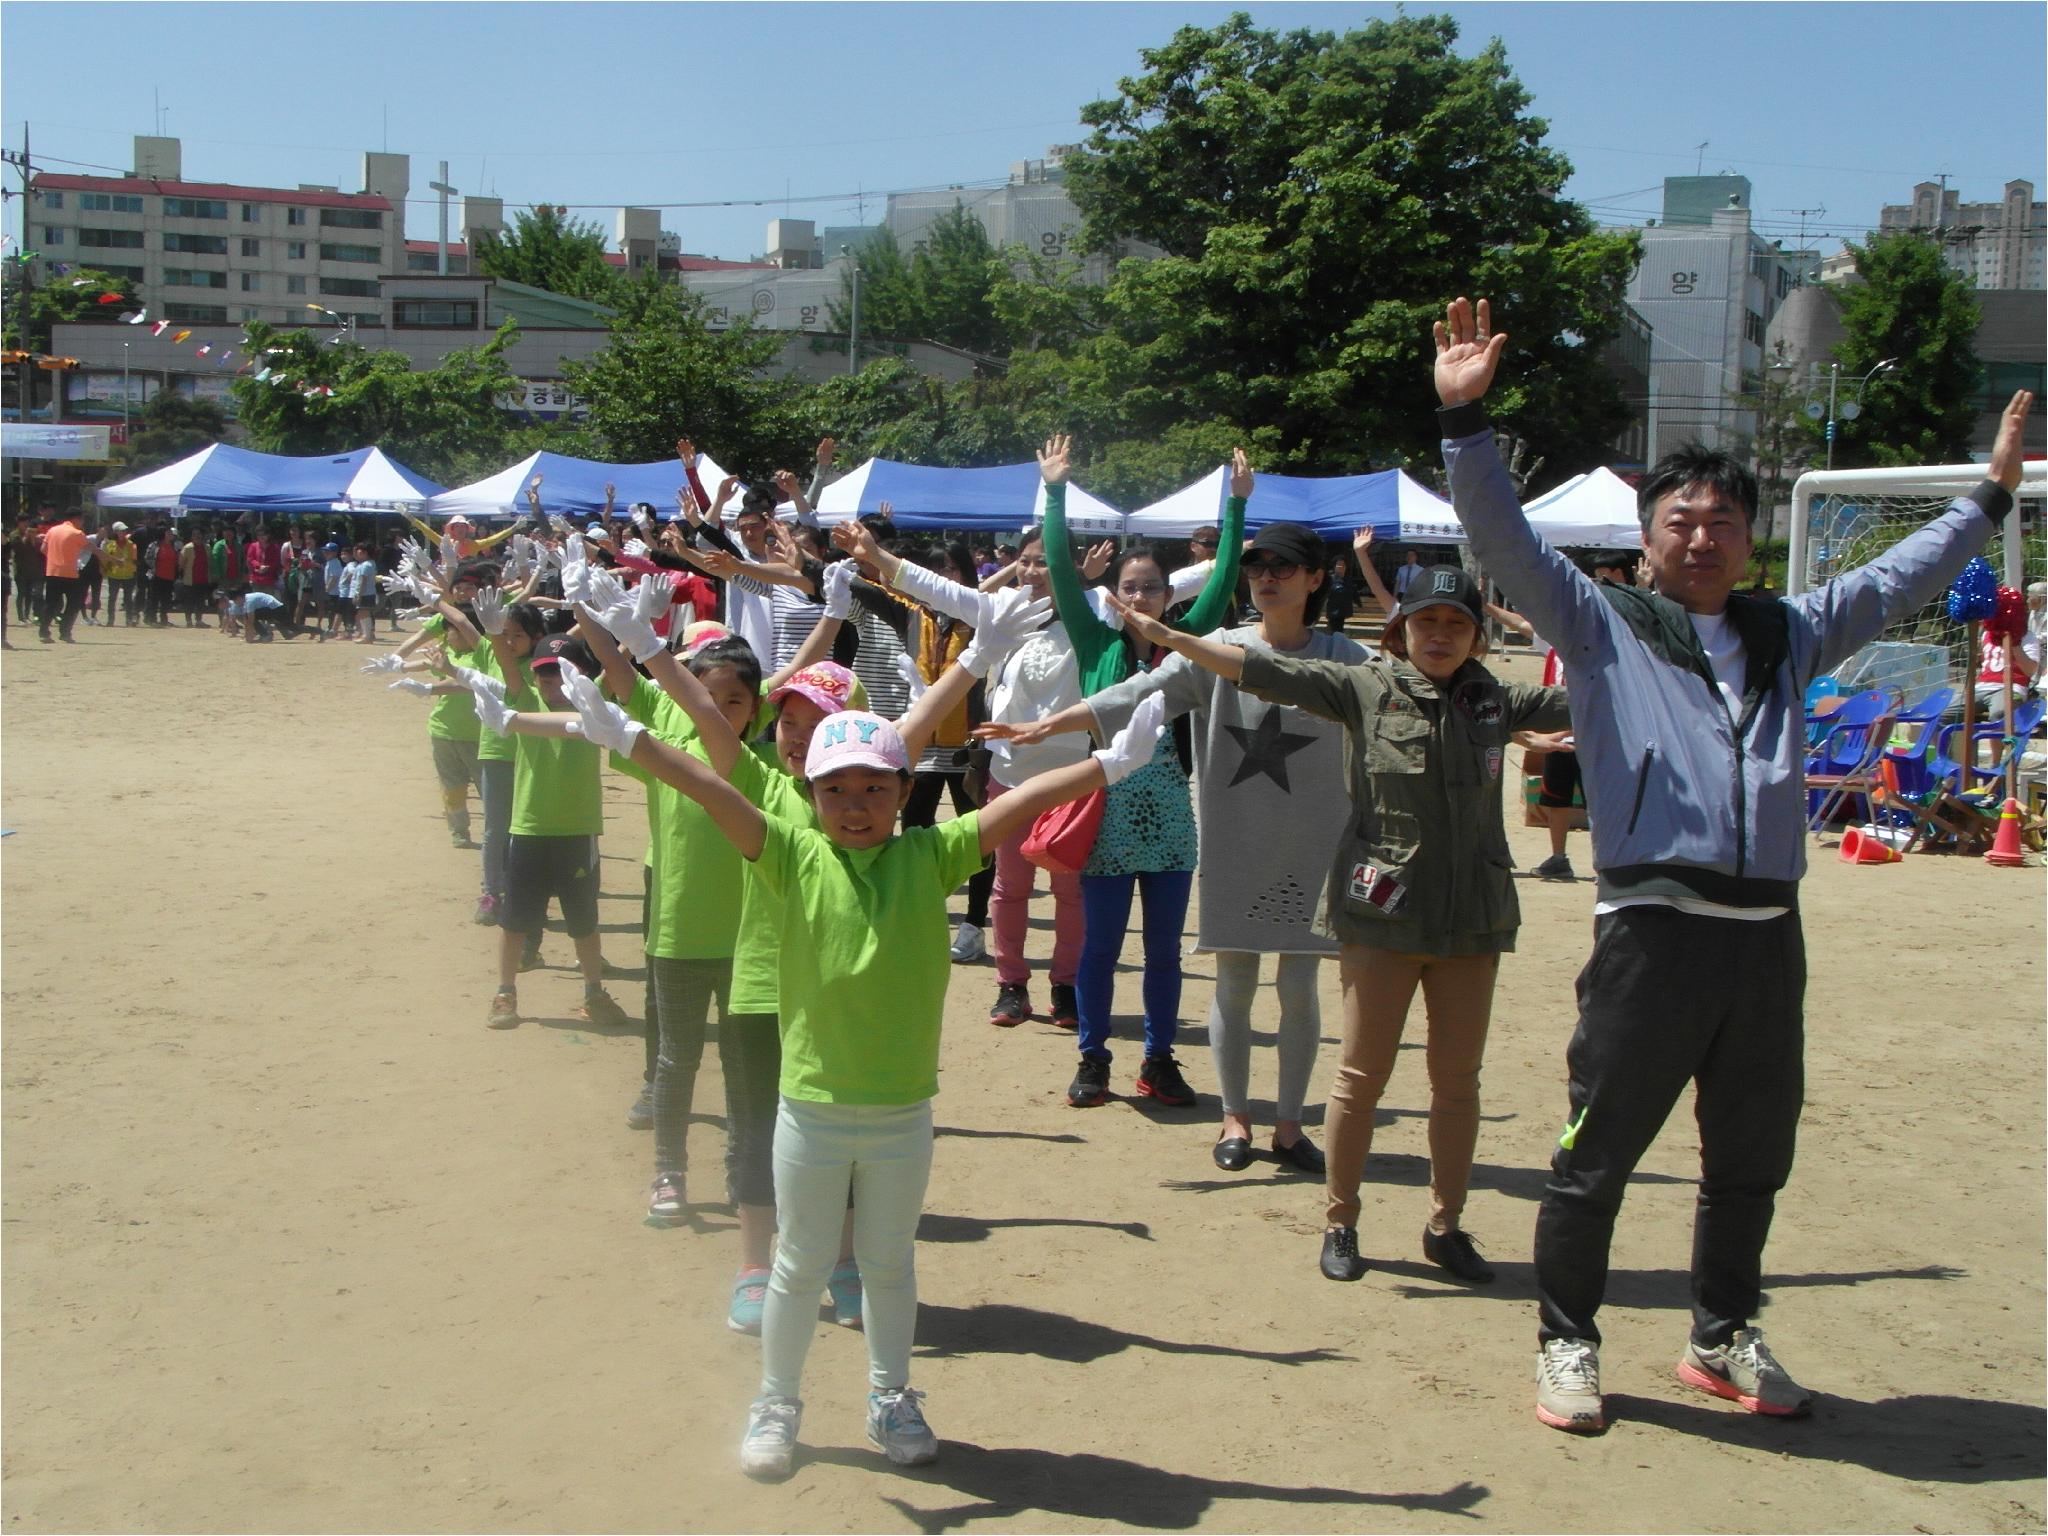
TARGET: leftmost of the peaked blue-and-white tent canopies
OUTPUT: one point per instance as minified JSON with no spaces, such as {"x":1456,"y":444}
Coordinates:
{"x":239,"y":480}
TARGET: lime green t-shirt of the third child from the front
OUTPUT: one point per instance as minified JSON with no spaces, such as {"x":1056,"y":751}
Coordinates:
{"x":693,"y":910}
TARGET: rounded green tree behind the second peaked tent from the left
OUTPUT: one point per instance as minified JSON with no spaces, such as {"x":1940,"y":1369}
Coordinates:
{"x":667,"y":376}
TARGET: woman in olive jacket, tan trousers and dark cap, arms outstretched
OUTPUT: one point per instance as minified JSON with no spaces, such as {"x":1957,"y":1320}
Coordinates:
{"x":1420,"y":894}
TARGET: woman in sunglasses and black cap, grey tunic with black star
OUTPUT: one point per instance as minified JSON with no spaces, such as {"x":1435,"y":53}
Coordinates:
{"x":1267,"y":775}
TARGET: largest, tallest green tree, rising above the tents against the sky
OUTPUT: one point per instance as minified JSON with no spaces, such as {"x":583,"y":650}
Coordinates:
{"x":1318,"y":200}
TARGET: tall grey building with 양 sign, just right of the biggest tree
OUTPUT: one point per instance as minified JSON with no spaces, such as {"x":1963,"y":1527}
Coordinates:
{"x":1709,"y":288}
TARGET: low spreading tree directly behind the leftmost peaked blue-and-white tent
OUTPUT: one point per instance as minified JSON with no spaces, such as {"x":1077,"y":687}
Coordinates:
{"x":445,"y":423}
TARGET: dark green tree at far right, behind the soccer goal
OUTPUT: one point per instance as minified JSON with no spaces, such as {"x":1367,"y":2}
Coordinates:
{"x":1914,"y":308}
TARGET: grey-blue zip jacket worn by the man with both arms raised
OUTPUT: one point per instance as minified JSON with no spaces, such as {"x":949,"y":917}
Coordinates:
{"x":1684,"y":800}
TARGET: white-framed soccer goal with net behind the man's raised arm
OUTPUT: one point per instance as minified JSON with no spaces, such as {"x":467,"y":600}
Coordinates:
{"x":1844,"y":519}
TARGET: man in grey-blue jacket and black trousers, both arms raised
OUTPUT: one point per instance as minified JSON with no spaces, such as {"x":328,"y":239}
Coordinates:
{"x":1689,"y":718}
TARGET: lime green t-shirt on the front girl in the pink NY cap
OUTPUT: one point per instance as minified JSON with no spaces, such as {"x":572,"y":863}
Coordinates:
{"x":867,"y":966}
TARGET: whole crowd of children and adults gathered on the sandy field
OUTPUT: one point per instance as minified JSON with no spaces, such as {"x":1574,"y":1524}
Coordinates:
{"x":796,"y":703}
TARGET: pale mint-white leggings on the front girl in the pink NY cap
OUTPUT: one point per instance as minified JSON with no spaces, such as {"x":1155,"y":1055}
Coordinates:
{"x":884,"y":1152}
